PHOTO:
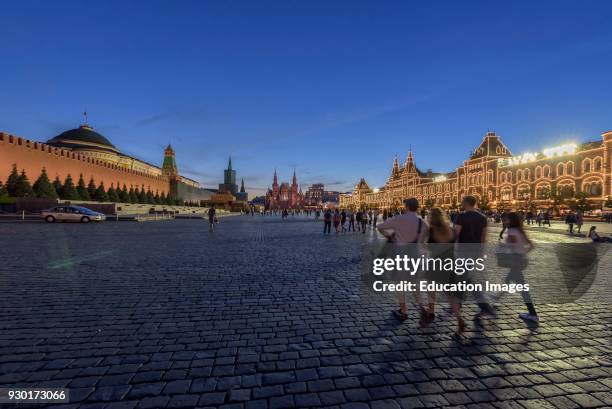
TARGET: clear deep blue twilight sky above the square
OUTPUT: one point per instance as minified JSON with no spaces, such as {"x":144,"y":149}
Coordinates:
{"x":332,"y":88}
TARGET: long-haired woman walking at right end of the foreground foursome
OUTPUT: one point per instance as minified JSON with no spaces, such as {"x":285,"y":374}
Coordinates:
{"x":519,"y":245}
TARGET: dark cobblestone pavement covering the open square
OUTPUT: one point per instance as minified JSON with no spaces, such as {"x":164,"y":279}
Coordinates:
{"x":266,"y":314}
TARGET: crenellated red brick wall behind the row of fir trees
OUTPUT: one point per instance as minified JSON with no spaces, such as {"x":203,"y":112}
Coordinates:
{"x":33,"y":156}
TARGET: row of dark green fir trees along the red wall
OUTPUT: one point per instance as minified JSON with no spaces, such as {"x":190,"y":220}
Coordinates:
{"x":18,"y":185}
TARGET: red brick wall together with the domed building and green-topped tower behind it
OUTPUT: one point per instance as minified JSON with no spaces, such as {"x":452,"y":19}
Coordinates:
{"x":83,"y":151}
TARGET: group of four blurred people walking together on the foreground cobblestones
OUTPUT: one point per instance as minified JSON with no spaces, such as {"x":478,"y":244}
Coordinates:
{"x":469,"y":228}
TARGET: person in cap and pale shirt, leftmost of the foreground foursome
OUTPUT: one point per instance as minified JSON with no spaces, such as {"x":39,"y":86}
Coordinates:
{"x":405,"y":231}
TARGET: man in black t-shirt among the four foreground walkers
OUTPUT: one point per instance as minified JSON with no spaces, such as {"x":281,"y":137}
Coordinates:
{"x":470,"y":236}
